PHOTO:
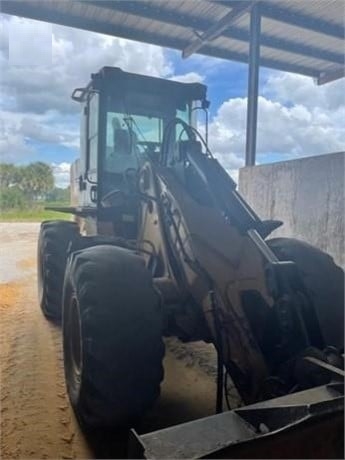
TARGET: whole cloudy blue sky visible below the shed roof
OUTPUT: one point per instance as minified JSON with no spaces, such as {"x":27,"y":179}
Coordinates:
{"x":42,"y":63}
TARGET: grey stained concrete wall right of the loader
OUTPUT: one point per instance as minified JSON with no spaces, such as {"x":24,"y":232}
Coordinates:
{"x":306,"y":194}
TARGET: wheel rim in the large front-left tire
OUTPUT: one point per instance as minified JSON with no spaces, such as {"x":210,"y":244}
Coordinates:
{"x":73,"y":352}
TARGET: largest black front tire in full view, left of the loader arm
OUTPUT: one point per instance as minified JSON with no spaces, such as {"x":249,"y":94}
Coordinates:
{"x":112,"y":337}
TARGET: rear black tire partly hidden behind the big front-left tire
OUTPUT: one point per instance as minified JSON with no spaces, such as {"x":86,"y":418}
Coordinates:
{"x":54,"y":239}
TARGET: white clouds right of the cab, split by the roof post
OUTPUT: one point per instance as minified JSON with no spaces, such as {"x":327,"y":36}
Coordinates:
{"x":295,"y":118}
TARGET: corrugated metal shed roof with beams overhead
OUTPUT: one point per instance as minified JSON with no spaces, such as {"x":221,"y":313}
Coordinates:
{"x":301,"y":36}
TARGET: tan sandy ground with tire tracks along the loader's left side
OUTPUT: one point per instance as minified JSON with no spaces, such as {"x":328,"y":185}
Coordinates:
{"x":36,"y":419}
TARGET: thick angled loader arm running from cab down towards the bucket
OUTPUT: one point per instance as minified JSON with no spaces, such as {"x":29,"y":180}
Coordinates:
{"x":256,"y":308}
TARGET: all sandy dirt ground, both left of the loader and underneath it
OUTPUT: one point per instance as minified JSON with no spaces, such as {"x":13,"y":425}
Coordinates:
{"x":36,"y":417}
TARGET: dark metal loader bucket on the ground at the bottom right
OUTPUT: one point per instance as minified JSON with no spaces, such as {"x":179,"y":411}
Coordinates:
{"x":307,"y":424}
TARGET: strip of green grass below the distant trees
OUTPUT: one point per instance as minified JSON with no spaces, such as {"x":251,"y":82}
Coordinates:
{"x":36,"y":214}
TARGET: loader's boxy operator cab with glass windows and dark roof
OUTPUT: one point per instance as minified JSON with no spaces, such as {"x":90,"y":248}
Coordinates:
{"x":124,"y":116}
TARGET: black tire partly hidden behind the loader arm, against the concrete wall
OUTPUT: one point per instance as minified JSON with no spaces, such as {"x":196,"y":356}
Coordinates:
{"x":324,"y":282}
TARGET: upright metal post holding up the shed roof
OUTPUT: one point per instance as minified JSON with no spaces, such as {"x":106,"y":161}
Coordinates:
{"x":253,"y":84}
